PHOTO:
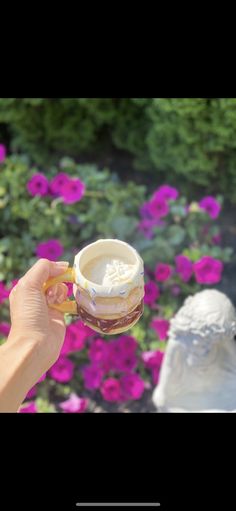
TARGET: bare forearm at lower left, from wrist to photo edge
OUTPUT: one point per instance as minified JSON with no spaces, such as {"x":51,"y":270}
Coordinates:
{"x":17,"y":373}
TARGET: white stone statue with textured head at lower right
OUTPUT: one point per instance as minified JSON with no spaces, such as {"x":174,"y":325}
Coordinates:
{"x":198,"y":373}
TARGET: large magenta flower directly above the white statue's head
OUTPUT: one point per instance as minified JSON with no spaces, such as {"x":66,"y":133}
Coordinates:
{"x":208,"y":270}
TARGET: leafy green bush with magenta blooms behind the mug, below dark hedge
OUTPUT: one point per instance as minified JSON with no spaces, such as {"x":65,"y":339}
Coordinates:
{"x":165,"y":227}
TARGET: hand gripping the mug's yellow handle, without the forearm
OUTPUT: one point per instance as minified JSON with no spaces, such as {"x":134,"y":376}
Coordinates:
{"x":32,"y":321}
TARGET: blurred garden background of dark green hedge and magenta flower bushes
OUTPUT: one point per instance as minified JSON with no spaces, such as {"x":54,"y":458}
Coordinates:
{"x":158,"y":173}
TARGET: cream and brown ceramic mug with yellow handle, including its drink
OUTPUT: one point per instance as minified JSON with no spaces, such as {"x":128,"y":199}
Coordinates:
{"x":108,"y":278}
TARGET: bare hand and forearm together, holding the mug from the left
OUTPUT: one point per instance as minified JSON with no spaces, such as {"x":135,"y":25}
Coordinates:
{"x":36,"y":336}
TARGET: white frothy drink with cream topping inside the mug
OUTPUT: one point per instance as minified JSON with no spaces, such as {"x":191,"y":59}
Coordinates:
{"x":108,"y":271}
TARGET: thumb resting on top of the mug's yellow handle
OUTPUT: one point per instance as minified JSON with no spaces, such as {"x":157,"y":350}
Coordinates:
{"x":42,"y":270}
